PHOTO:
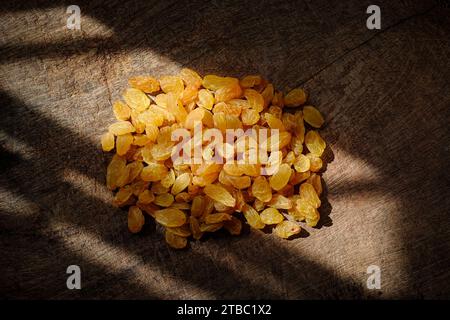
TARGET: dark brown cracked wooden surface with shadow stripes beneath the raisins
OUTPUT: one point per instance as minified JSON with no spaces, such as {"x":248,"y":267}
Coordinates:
{"x":385,"y":95}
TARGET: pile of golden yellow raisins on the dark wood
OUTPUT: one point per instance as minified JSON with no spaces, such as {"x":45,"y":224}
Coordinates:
{"x":191,"y":199}
